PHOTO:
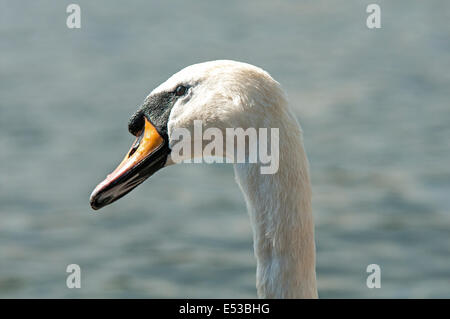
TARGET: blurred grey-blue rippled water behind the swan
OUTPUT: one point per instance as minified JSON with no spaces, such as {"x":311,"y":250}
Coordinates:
{"x":374,"y":106}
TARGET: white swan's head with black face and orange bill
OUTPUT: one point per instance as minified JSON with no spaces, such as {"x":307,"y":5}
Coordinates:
{"x":221,"y":94}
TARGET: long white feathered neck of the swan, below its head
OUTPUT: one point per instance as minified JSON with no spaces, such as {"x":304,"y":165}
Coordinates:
{"x":279,"y":206}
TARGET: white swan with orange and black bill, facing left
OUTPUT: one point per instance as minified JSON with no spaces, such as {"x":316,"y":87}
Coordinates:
{"x":227,"y":94}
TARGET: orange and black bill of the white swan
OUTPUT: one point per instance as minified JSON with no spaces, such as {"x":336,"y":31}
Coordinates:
{"x":147,"y":155}
